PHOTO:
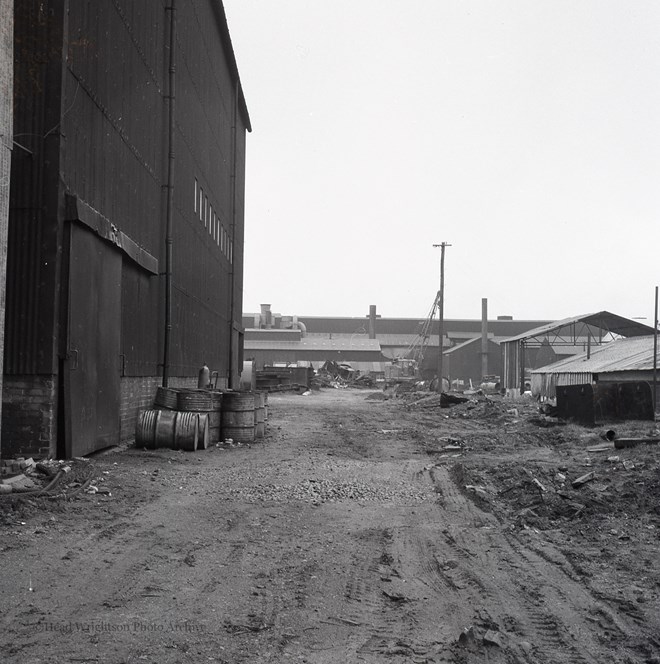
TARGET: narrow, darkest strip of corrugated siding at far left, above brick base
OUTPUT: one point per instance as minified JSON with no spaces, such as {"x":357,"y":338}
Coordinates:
{"x":32,"y":268}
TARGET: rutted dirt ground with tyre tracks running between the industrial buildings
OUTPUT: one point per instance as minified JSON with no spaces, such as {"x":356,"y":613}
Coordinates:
{"x":360,"y":530}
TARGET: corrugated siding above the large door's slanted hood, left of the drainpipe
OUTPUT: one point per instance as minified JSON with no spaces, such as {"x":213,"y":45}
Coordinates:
{"x":114,"y":121}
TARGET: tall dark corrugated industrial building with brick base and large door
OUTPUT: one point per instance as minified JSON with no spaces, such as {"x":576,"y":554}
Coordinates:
{"x":125,"y":248}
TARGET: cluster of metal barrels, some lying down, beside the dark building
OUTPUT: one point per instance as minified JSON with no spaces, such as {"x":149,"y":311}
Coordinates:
{"x":194,"y":419}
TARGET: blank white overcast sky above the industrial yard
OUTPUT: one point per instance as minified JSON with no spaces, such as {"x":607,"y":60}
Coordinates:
{"x":523,"y":132}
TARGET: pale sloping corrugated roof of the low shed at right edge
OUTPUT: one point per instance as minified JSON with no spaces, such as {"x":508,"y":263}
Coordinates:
{"x":632,"y":354}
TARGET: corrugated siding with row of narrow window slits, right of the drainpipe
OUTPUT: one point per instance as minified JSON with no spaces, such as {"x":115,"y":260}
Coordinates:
{"x":205,"y":243}
